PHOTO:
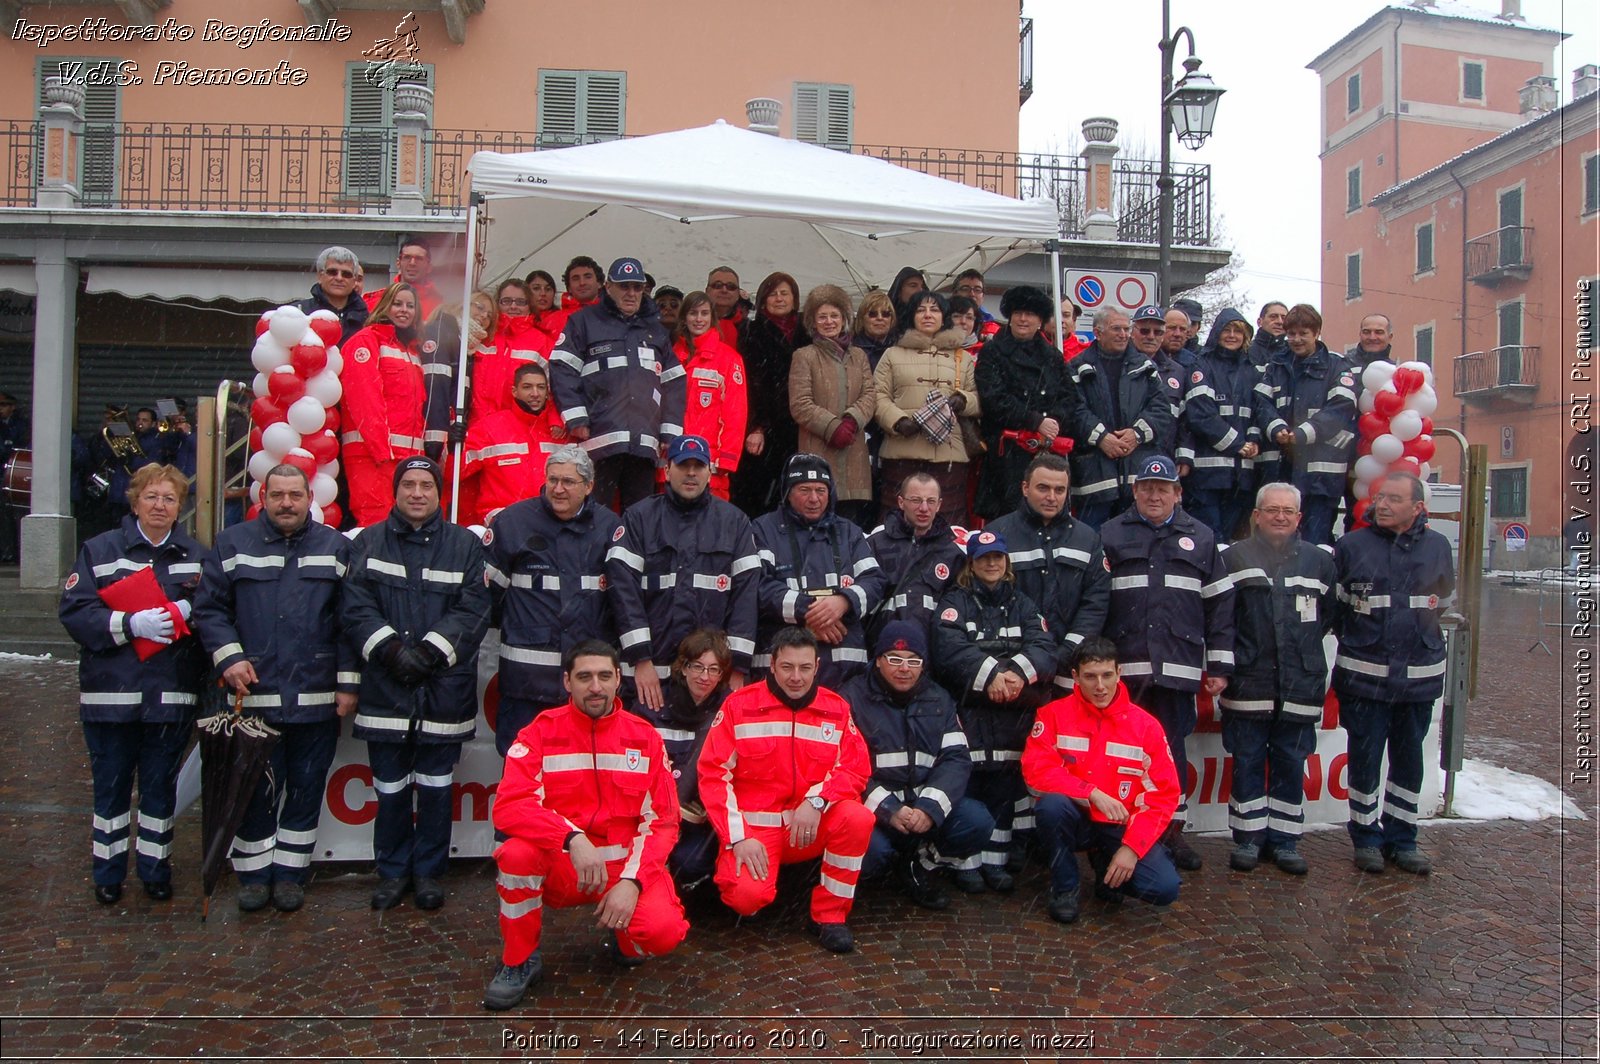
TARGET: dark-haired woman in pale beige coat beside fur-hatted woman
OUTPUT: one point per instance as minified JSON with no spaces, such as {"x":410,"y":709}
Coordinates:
{"x":926,"y":383}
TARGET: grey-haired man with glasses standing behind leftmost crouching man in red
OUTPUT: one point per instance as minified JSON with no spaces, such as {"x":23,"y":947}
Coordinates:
{"x":546,"y":561}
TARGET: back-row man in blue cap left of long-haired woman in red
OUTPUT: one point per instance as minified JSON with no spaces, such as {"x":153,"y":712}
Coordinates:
{"x":620,"y":386}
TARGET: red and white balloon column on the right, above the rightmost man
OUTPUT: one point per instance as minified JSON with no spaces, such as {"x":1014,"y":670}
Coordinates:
{"x":1396,"y":428}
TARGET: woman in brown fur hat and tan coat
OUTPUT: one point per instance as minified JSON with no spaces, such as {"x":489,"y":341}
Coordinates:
{"x":833,"y":398}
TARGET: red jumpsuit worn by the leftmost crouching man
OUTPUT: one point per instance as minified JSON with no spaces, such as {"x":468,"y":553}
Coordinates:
{"x":609,"y":780}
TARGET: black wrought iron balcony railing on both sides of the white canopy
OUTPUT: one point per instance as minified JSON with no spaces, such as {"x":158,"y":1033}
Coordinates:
{"x":350,"y":170}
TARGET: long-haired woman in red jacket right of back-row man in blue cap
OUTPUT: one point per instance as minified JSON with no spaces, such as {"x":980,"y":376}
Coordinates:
{"x":718,"y":404}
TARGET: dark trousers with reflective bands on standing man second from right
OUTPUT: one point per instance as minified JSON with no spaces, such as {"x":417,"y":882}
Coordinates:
{"x":1268,"y":801}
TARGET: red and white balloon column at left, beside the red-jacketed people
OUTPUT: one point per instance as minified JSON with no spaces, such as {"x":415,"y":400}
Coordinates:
{"x":297,"y":414}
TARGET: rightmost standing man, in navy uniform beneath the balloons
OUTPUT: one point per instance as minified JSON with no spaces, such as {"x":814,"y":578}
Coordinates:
{"x":1396,"y":578}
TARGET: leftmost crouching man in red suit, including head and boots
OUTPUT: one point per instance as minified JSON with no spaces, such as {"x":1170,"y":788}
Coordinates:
{"x":591,"y":764}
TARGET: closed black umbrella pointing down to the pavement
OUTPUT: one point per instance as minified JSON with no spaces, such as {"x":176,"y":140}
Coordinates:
{"x":234,"y":753}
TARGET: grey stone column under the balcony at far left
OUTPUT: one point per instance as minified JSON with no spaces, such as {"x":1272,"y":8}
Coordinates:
{"x":50,"y":530}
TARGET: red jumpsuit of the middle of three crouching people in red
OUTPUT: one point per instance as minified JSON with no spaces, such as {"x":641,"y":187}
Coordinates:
{"x":761,"y":761}
